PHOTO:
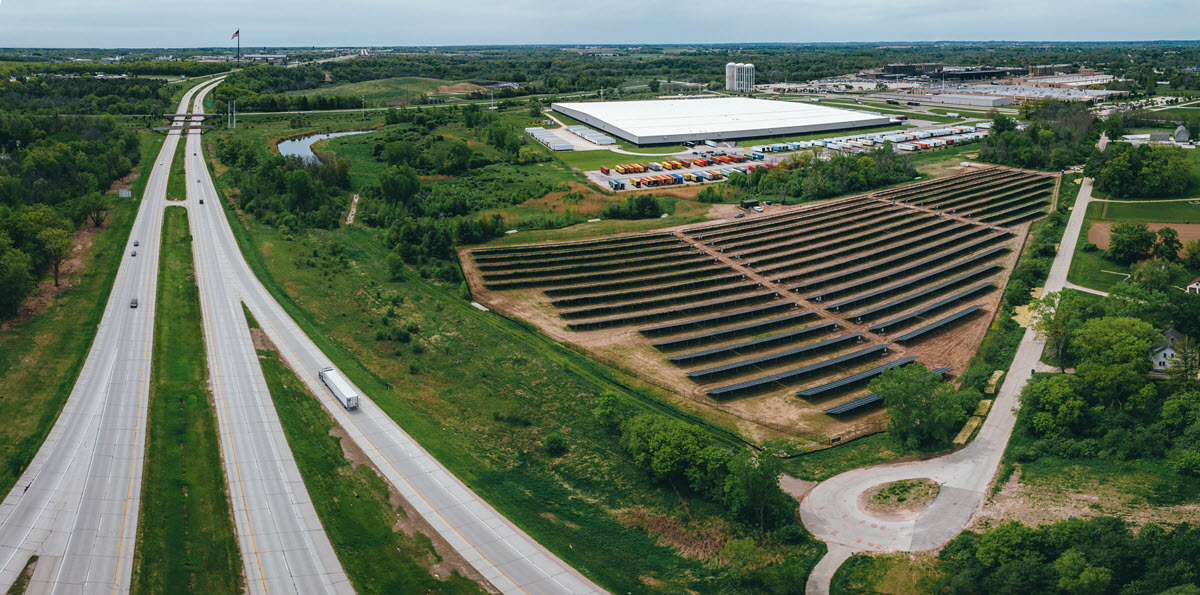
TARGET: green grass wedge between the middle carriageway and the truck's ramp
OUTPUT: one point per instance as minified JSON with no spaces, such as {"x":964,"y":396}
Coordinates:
{"x":353,"y":502}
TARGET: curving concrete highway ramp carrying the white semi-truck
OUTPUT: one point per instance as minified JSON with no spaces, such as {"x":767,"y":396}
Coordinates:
{"x":499,"y":550}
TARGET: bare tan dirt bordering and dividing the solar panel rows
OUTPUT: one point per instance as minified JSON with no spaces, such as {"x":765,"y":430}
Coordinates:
{"x":760,"y":417}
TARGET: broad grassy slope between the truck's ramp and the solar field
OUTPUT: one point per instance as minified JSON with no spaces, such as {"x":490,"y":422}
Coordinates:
{"x":482,"y":392}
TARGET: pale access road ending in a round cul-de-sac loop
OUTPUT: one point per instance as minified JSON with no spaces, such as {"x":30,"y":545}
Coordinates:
{"x":831,"y":510}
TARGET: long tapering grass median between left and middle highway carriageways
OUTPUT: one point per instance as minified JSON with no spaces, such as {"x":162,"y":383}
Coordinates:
{"x":187,"y":542}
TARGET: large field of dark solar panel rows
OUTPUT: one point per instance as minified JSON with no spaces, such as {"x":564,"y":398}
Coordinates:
{"x":795,"y":302}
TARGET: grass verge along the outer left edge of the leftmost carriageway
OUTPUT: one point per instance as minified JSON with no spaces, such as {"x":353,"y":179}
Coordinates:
{"x":40,"y":359}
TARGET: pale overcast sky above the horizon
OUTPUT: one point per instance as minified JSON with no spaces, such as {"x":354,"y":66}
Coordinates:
{"x":274,"y":23}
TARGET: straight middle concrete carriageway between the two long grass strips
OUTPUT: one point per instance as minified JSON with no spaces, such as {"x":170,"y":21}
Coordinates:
{"x":284,"y":546}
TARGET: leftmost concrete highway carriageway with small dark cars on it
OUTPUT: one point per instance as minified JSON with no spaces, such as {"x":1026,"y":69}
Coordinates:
{"x":76,"y":507}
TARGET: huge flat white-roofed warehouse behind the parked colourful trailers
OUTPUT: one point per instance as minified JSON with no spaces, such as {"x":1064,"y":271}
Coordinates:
{"x":717,"y":119}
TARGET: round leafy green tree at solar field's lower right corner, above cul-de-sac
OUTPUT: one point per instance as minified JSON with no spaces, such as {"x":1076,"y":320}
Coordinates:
{"x":922,"y":408}
